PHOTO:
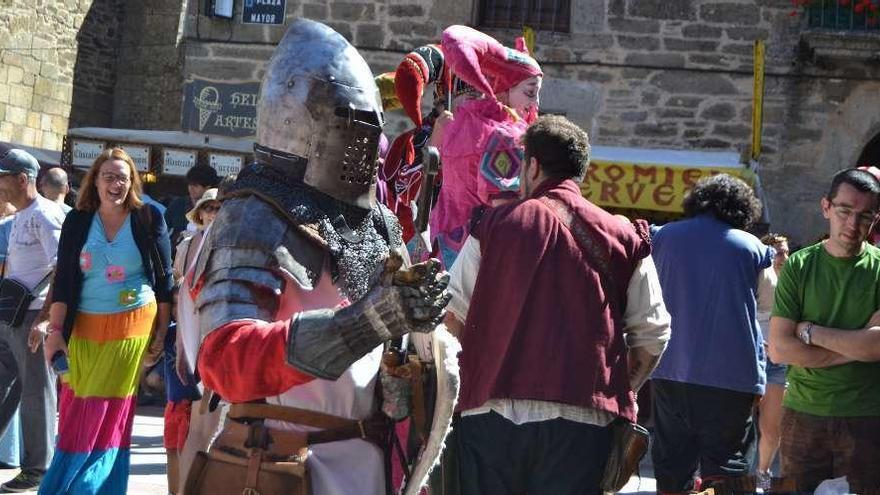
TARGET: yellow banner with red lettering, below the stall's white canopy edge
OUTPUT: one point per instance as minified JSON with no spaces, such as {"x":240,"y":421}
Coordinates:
{"x":646,"y":186}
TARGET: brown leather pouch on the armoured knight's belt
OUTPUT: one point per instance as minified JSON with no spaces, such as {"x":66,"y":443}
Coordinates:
{"x":251,"y":471}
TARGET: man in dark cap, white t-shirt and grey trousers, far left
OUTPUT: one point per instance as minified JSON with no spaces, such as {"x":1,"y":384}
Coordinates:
{"x":24,"y":375}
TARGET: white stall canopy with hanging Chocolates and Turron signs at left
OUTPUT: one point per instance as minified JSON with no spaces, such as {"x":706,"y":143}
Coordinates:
{"x":167,"y":152}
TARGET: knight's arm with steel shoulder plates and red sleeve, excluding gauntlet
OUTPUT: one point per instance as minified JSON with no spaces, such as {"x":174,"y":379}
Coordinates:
{"x":238,"y":287}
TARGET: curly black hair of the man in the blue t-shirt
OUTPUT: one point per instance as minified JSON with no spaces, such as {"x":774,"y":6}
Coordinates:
{"x":725,"y":197}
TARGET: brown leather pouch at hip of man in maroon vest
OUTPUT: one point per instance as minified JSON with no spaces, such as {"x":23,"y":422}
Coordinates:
{"x":628,"y":446}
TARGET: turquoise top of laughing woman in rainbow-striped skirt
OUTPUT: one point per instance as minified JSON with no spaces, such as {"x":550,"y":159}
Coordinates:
{"x":114,"y":279}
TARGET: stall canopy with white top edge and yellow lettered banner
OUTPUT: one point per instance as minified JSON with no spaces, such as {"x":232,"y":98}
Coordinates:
{"x":654,"y":179}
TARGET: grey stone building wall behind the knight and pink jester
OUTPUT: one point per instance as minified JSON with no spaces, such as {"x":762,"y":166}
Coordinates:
{"x":643,"y":73}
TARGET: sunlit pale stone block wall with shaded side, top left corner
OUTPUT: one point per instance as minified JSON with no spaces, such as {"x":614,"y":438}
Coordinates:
{"x":57,"y":63}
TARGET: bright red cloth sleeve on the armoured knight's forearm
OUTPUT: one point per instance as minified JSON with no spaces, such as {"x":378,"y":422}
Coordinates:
{"x":246,"y":360}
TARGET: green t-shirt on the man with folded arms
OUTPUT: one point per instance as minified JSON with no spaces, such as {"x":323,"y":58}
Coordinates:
{"x":839,"y":293}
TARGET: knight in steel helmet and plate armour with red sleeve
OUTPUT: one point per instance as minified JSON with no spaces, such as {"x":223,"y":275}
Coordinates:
{"x":299,"y":285}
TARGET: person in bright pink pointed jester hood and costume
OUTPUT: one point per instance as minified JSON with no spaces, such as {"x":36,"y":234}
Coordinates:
{"x":480,"y":148}
